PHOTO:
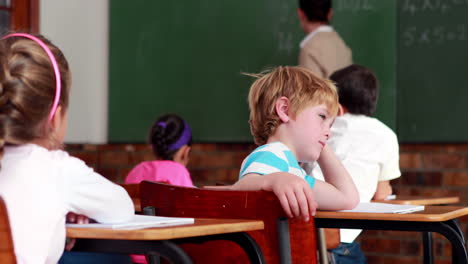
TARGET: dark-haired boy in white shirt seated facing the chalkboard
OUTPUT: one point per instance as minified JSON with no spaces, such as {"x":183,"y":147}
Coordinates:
{"x":367,"y":148}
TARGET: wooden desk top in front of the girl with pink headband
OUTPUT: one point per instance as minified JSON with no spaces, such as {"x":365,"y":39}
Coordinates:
{"x":201,"y":227}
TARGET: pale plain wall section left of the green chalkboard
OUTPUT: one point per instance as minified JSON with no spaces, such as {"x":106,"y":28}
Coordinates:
{"x":80,"y":29}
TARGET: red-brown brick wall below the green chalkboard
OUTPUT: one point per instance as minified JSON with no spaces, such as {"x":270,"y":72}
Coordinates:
{"x":428,"y":169}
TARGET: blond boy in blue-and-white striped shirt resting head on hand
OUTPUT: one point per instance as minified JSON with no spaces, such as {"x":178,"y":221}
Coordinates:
{"x":291,"y":112}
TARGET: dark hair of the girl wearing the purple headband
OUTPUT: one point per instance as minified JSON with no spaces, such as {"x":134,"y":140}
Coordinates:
{"x":166,"y":131}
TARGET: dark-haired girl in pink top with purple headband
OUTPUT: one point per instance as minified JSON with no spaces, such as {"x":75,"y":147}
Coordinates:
{"x":170,"y":138}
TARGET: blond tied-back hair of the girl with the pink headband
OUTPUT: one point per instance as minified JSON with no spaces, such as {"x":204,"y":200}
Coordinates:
{"x":27,"y":90}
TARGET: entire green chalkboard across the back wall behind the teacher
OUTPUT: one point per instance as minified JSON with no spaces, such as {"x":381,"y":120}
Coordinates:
{"x":187,"y":57}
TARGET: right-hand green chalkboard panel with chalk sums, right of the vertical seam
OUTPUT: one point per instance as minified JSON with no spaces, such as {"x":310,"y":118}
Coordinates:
{"x":432,"y":71}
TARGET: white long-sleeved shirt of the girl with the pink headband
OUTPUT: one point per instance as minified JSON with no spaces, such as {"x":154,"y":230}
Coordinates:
{"x":40,"y":187}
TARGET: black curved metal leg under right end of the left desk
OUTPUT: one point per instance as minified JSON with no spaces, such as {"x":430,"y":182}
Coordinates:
{"x":246,"y":242}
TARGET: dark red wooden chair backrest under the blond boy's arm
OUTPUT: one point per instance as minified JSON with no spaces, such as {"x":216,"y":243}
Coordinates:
{"x":176,"y":201}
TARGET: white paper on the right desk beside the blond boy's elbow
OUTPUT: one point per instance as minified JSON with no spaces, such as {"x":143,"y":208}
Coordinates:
{"x":385,"y":208}
